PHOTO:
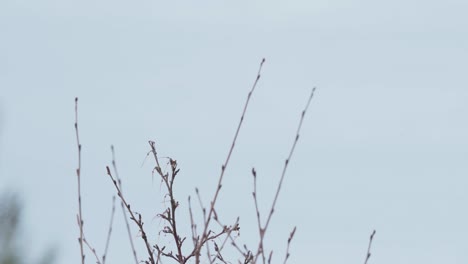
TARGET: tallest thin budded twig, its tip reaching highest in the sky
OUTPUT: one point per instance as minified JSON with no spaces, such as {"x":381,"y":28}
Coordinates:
{"x":204,"y":236}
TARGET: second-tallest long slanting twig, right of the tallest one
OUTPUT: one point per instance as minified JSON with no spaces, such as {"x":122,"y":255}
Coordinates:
{"x":262,"y":231}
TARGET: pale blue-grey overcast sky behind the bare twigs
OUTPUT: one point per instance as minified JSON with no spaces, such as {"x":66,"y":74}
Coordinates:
{"x":384,"y":145}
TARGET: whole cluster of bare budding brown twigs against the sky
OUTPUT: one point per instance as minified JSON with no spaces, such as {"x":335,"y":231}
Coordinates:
{"x":207,"y":239}
